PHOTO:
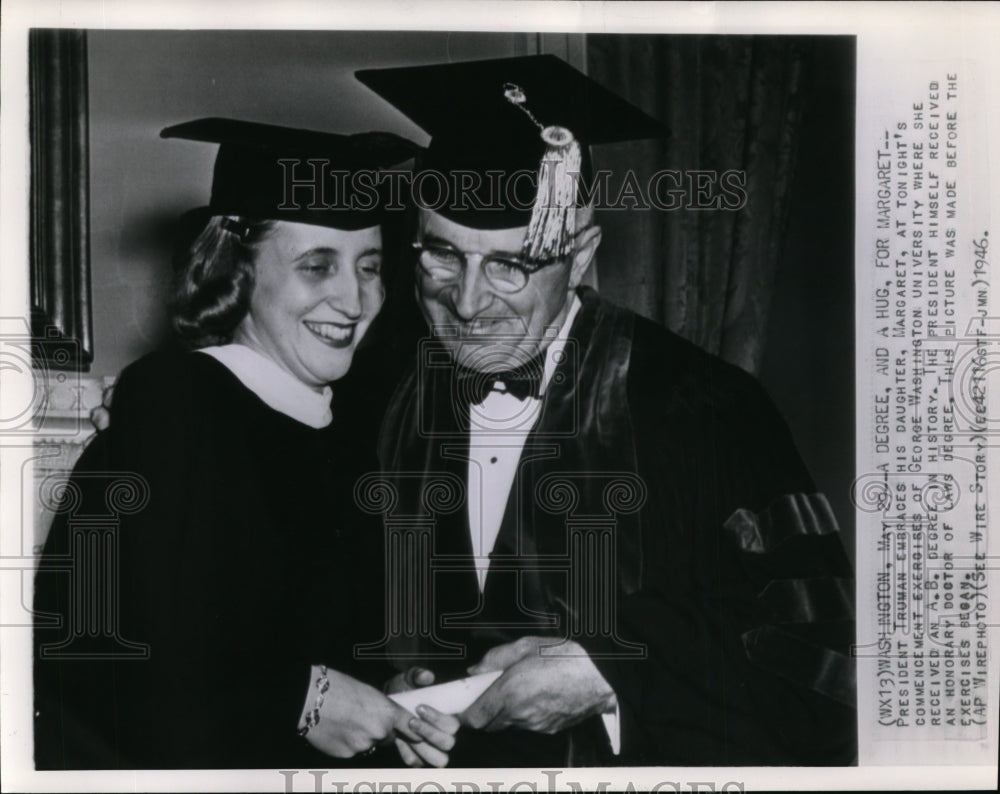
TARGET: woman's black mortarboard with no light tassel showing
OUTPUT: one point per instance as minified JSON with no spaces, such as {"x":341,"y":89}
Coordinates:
{"x":266,"y":171}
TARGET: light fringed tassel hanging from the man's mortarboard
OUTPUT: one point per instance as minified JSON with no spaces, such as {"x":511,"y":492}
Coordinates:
{"x":553,"y":218}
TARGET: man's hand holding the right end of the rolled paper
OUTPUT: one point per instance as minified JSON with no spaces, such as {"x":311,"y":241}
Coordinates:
{"x":545,"y":694}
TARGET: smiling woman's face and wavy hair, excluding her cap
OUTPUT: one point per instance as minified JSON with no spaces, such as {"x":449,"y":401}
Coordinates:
{"x":279,"y":288}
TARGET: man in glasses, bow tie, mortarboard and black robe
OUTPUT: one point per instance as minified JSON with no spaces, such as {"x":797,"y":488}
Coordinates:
{"x":634,"y":542}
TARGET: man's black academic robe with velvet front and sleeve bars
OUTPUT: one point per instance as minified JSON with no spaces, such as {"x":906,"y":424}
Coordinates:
{"x":658,"y":499}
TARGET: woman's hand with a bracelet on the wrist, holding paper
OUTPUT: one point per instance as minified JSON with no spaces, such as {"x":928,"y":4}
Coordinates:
{"x":355,"y":718}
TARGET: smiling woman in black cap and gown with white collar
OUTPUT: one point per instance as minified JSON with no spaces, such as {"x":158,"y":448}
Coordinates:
{"x":237,"y":573}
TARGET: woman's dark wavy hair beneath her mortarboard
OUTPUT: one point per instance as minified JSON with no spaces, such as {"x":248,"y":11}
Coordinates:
{"x":214,"y":276}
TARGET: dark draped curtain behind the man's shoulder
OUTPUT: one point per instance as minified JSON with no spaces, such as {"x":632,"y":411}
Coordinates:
{"x":731,"y":103}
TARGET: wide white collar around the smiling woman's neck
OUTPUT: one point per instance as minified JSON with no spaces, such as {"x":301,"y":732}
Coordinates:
{"x":275,"y":386}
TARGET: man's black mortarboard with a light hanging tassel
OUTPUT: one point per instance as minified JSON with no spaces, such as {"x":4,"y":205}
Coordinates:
{"x":501,"y":120}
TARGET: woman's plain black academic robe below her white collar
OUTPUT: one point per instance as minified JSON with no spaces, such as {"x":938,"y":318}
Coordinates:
{"x":205,"y":555}
